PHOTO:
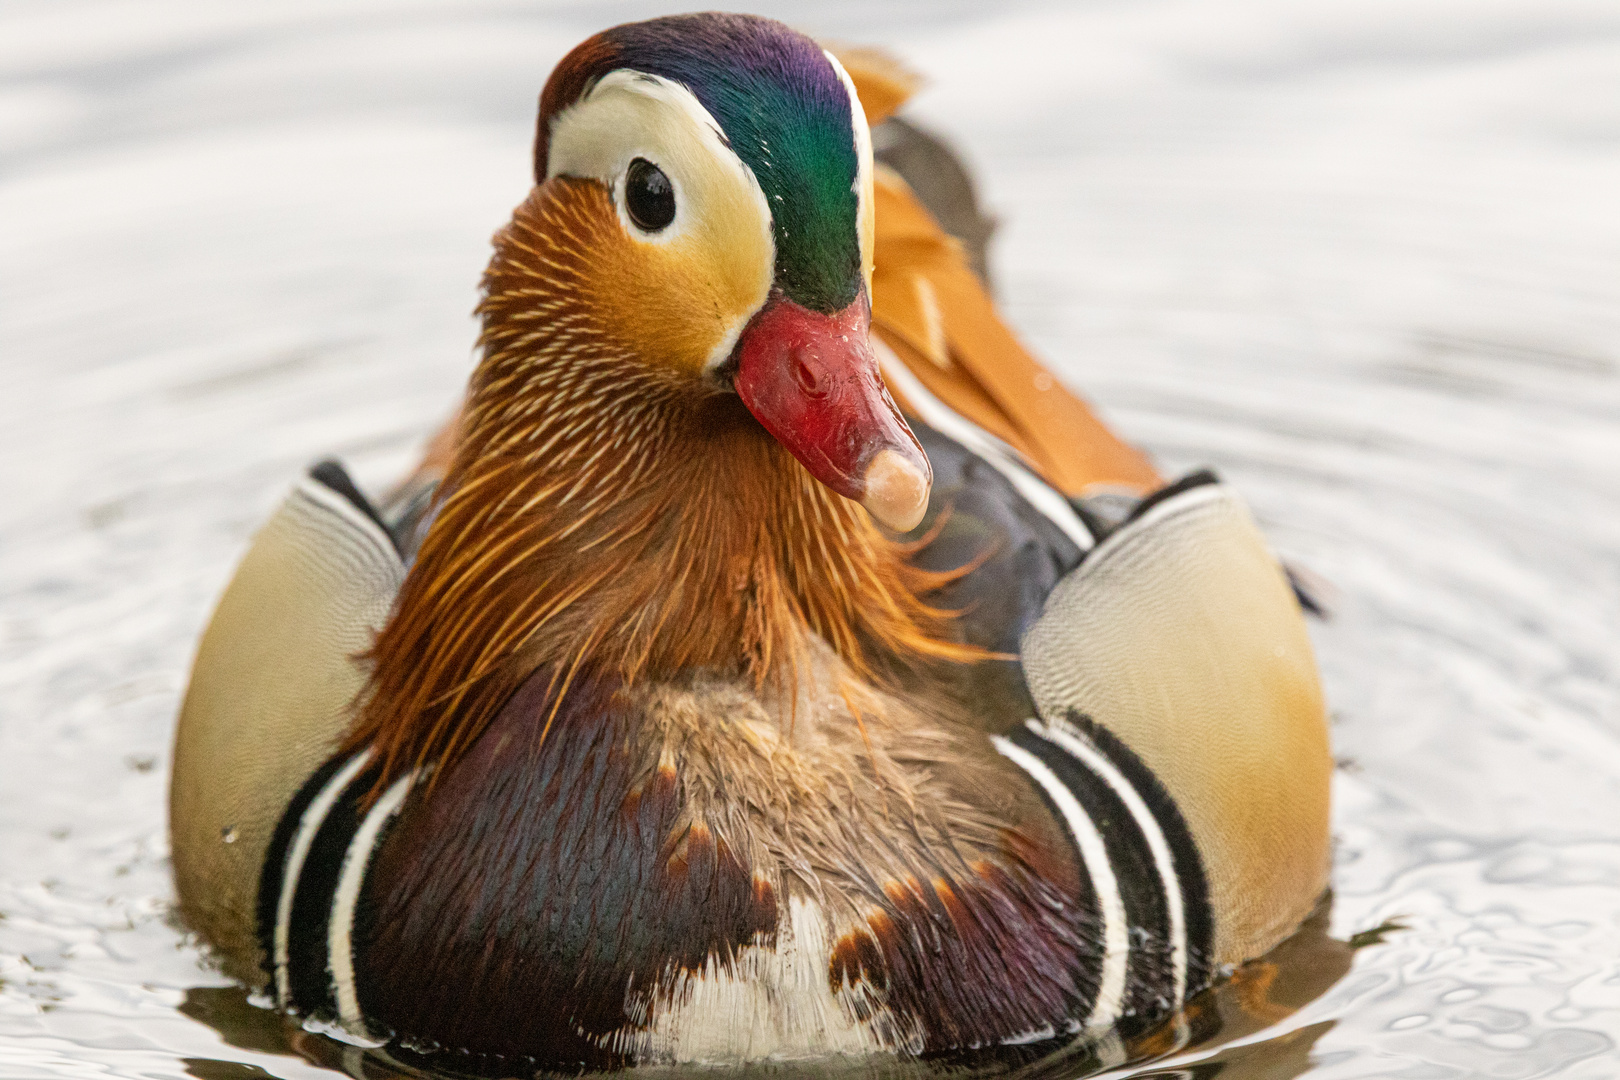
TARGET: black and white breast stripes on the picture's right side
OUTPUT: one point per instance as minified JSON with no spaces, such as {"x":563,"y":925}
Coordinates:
{"x":1146,"y":877}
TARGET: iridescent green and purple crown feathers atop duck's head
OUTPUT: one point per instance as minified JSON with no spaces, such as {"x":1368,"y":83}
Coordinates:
{"x":785,"y":111}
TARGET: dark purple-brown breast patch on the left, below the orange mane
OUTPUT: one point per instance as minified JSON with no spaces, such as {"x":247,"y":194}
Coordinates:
{"x":511,"y":914}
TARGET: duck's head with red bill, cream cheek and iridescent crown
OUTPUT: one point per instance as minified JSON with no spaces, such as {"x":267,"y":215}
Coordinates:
{"x":731,"y":234}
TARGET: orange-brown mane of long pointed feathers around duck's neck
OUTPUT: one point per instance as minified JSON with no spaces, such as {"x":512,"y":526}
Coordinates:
{"x":615,"y":517}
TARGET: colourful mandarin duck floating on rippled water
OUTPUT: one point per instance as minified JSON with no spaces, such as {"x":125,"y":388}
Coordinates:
{"x":770,"y":661}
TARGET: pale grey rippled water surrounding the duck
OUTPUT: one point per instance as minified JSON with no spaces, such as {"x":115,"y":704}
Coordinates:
{"x":1363,"y":258}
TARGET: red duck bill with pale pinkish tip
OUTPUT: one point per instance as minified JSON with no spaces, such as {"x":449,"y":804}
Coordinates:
{"x":812,"y":381}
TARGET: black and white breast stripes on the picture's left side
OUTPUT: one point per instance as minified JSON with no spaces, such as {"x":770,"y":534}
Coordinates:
{"x":310,"y":887}
